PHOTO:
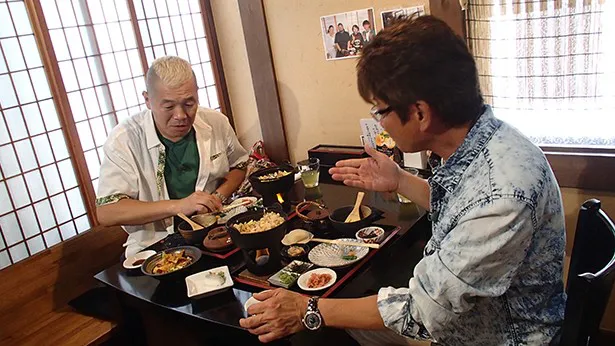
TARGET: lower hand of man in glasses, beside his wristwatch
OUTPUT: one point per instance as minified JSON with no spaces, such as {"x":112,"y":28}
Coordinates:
{"x":278,"y":314}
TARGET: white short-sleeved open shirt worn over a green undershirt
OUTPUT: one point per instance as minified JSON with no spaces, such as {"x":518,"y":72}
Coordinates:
{"x":133,"y":166}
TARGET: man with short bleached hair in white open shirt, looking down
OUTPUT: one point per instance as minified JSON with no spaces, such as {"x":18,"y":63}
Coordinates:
{"x":175,"y":157}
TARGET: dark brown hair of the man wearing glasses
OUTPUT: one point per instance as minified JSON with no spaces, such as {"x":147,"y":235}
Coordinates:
{"x":421,"y":58}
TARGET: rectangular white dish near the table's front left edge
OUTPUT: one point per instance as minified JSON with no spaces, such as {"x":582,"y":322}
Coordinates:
{"x":208,"y":282}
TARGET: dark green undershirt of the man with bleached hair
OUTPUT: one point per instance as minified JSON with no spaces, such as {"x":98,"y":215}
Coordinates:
{"x":181,"y":167}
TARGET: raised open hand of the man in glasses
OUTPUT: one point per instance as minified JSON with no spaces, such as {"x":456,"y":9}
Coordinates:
{"x":376,"y":173}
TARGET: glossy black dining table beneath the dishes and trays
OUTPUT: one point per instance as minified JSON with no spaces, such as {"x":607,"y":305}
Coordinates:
{"x":223,"y":311}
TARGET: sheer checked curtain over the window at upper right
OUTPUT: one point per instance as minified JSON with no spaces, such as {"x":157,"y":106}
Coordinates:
{"x":547,"y":67}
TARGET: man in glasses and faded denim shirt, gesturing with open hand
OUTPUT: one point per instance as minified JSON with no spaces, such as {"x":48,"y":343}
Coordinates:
{"x":492,"y":271}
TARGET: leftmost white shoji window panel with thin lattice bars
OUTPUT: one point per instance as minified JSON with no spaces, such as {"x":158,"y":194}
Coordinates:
{"x":52,"y":193}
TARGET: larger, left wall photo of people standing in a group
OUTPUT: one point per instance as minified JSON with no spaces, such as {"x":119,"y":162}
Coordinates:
{"x":345,"y":34}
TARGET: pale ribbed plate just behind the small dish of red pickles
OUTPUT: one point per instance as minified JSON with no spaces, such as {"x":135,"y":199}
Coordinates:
{"x":333,"y":255}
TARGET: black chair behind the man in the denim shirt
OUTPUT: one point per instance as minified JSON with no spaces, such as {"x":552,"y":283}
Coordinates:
{"x":591,"y":275}
